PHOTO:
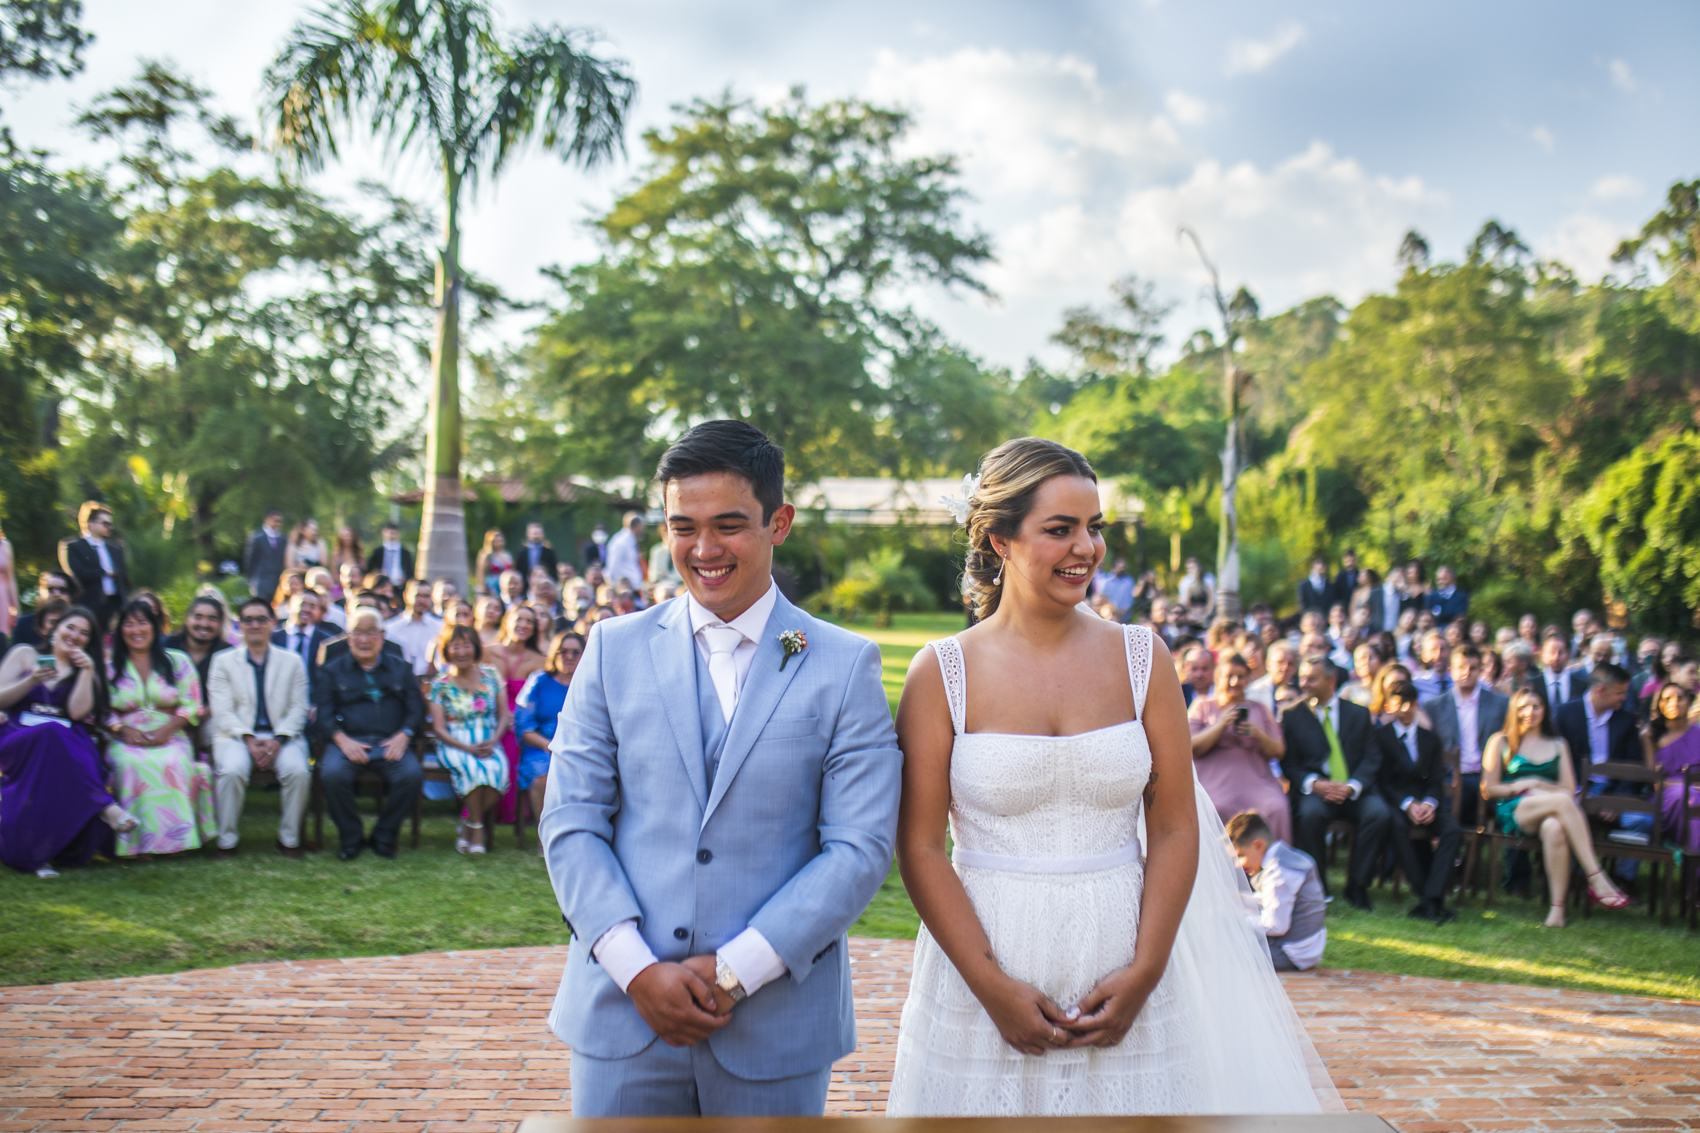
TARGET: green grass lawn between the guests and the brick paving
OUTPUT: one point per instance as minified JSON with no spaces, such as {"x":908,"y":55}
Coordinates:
{"x":191,"y":913}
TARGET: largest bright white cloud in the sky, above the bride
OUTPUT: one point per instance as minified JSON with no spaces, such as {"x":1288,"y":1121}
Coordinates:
{"x":1084,"y":181}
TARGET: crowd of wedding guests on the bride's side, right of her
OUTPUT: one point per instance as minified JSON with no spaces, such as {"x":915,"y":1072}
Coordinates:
{"x":1361,"y":705}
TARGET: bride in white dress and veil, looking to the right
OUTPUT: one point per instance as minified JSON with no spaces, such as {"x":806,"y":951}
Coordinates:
{"x":1065,"y":967}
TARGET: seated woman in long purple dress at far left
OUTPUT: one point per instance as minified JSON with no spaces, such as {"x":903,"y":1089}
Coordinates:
{"x":54,"y":799}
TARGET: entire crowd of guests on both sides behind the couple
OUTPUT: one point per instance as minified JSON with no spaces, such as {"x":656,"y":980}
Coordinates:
{"x":1356,"y":710}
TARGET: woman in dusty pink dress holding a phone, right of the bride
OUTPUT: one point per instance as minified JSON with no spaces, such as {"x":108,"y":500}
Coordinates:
{"x":1233,"y":743}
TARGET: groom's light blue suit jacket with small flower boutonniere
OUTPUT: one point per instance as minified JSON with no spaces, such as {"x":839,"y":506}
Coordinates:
{"x":793,"y":838}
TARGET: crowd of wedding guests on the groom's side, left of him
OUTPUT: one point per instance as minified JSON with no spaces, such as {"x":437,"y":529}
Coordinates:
{"x":128,"y":737}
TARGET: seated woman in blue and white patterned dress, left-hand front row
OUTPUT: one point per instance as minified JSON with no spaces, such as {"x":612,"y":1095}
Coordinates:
{"x":470,"y":715}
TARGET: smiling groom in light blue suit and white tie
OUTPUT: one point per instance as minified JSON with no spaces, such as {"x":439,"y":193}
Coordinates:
{"x":722,"y":807}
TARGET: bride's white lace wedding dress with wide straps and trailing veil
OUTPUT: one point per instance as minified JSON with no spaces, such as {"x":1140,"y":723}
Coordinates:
{"x":1048,"y":846}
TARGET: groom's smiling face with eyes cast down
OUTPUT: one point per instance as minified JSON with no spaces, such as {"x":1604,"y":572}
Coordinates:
{"x":722,"y":544}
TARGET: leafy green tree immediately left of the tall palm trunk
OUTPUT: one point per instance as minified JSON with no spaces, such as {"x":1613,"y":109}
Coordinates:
{"x":258,"y":331}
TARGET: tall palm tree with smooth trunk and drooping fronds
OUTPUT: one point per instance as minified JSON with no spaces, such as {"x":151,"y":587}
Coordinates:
{"x":438,"y":74}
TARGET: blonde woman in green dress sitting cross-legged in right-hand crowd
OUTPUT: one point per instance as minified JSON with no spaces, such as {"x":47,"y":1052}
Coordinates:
{"x":1527,"y":777}
